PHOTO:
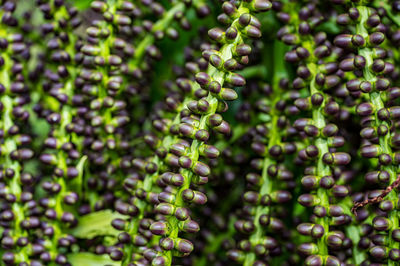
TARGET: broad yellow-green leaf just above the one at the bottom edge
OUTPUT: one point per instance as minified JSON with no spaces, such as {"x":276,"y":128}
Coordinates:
{"x":96,"y":224}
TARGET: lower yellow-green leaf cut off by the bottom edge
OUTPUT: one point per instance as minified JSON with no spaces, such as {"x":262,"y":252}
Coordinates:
{"x":88,"y":259}
